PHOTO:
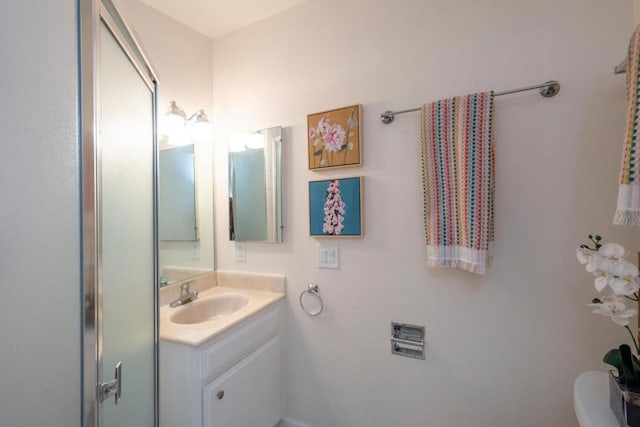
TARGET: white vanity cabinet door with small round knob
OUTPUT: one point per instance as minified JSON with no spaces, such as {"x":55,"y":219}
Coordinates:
{"x":249,"y":394}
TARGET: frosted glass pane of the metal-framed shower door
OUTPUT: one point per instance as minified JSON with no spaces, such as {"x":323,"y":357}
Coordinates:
{"x":126,"y":235}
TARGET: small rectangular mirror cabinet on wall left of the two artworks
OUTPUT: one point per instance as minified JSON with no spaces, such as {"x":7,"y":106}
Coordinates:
{"x":255,"y":186}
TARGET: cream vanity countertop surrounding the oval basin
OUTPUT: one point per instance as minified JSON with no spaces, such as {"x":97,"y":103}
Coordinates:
{"x":198,"y":333}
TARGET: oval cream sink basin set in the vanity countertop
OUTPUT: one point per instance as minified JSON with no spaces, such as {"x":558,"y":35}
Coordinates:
{"x":206,"y":309}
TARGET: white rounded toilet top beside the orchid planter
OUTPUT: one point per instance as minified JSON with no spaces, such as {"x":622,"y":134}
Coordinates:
{"x":591,"y":400}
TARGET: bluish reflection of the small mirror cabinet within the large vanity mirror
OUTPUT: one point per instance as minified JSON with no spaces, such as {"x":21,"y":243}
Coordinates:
{"x":177,"y":194}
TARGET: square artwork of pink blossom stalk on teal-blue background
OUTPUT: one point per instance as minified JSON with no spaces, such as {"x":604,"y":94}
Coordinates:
{"x":335,"y":207}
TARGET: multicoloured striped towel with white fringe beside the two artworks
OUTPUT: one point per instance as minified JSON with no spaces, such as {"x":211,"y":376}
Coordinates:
{"x":458,"y":176}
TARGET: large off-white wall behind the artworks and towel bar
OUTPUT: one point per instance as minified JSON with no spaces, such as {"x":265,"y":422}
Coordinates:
{"x":502,"y":349}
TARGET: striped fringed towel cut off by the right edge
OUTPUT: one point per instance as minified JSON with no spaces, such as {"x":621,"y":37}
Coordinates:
{"x":628,"y":212}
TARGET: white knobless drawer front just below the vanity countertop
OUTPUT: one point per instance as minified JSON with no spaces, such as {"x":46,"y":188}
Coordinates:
{"x":239,"y":342}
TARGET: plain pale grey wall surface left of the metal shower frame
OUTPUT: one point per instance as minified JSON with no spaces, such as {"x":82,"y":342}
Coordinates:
{"x":39,"y":232}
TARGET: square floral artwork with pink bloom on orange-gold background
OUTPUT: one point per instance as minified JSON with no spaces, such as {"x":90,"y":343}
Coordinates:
{"x":334,"y":138}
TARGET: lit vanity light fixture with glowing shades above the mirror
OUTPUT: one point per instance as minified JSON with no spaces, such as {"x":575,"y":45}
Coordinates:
{"x":180,"y":130}
